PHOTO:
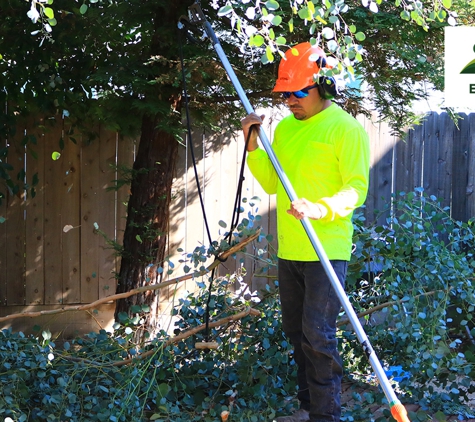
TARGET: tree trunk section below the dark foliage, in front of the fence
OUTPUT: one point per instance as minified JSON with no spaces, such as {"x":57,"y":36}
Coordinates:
{"x":148,"y":214}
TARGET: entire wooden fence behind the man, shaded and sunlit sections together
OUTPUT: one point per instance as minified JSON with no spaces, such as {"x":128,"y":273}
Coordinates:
{"x":45,"y":266}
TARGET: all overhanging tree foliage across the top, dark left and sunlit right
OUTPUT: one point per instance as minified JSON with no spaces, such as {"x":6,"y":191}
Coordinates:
{"x":393,"y":48}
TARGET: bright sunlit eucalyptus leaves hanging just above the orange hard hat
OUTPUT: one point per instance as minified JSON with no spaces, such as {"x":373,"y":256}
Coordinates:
{"x":268,"y":25}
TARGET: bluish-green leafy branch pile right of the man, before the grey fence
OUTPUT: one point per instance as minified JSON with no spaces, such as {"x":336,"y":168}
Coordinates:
{"x":414,"y":279}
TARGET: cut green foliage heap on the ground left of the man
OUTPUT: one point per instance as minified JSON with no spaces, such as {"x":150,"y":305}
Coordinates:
{"x":249,"y":373}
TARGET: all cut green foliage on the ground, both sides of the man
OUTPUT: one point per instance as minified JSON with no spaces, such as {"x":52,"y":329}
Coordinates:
{"x":411,"y":280}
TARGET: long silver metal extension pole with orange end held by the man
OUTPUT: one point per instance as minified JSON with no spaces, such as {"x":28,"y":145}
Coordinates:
{"x":397,"y":409}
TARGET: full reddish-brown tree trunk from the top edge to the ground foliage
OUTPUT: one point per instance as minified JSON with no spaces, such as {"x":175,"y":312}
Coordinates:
{"x":145,"y":236}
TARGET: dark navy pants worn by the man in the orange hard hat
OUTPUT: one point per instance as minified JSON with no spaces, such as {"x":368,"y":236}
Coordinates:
{"x":310,"y":308}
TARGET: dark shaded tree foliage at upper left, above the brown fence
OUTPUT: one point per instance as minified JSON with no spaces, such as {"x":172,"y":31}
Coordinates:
{"x":111,"y":63}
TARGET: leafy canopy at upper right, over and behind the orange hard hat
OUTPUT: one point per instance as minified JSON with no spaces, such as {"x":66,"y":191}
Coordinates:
{"x":393,"y":48}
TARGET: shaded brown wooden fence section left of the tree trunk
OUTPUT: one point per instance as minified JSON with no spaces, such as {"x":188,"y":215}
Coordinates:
{"x":43,"y":265}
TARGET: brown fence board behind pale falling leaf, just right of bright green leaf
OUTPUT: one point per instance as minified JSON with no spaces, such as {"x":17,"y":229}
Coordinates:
{"x":71,"y":215}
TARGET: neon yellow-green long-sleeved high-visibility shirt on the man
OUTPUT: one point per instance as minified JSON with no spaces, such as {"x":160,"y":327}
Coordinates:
{"x":326,"y":159}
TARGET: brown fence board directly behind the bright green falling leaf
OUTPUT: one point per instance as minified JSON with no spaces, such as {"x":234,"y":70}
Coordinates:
{"x":53,"y":222}
